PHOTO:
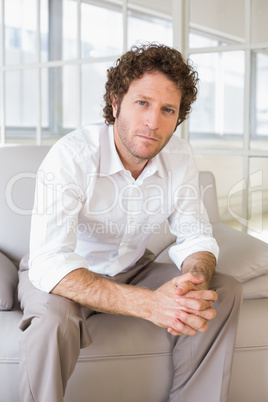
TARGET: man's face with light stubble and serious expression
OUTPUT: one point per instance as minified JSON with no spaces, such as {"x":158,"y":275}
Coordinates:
{"x":148,"y":115}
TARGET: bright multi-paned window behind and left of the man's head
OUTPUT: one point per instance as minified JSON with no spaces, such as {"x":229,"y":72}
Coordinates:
{"x":57,"y":53}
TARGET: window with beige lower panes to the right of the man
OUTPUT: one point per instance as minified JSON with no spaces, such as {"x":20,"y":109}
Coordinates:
{"x":228,"y":127}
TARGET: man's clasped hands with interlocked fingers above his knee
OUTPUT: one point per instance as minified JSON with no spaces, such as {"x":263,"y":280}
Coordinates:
{"x":186,"y":305}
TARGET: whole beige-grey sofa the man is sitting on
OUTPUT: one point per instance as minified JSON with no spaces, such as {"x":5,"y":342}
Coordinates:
{"x":123,"y":352}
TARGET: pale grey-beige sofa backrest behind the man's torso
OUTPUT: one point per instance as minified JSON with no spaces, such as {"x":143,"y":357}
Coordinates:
{"x":18,"y":166}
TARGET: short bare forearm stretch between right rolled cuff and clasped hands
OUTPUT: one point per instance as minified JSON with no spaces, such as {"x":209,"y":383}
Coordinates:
{"x":200,"y":264}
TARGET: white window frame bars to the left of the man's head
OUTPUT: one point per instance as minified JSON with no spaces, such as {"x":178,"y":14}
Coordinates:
{"x":39,"y":133}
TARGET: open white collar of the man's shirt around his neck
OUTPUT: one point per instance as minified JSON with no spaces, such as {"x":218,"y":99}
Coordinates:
{"x":111,"y":163}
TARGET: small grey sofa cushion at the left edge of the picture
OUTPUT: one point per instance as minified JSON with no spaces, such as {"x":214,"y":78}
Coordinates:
{"x":8,"y":283}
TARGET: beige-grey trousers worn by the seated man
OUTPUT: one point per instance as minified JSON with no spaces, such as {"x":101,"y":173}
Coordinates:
{"x":53,"y":330}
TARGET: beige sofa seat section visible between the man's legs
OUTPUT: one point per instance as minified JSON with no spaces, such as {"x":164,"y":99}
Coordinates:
{"x":121,"y":362}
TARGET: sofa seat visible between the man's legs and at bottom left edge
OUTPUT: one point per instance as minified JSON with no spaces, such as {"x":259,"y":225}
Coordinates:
{"x":121,"y":348}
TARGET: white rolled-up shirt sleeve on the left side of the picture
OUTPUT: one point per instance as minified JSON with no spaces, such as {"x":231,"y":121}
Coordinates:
{"x":59,"y":197}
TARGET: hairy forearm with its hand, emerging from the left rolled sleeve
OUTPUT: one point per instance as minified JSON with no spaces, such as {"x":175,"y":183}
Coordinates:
{"x":159,"y":306}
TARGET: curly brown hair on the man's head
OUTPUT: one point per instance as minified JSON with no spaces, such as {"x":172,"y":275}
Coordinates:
{"x":147,"y":59}
